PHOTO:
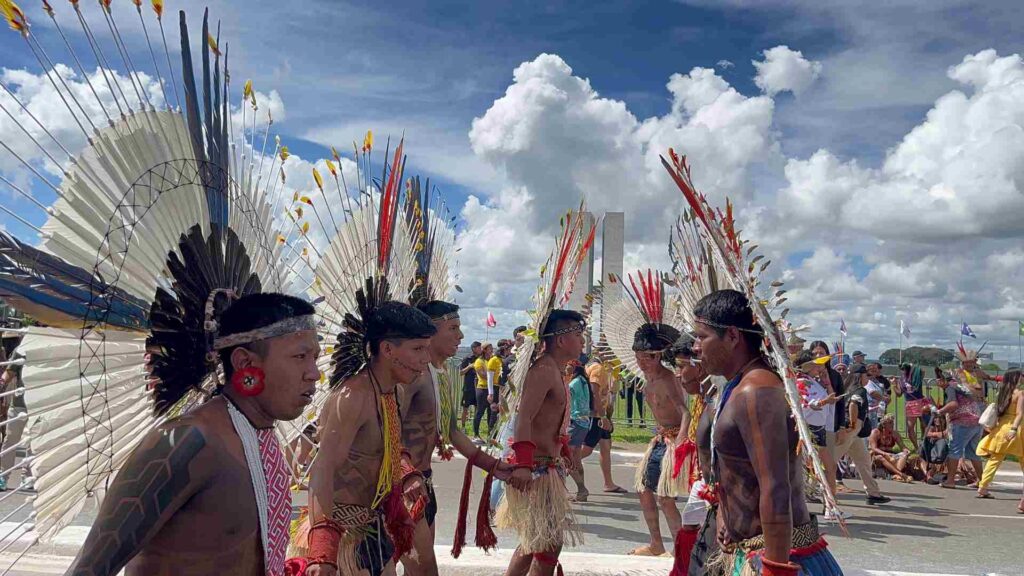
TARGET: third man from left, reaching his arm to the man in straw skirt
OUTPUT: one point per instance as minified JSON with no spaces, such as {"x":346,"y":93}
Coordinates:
{"x":430,"y":423}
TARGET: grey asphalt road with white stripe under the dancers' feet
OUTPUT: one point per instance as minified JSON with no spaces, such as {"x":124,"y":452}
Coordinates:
{"x":925,"y":530}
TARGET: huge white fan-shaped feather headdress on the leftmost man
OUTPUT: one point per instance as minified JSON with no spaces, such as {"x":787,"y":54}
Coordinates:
{"x":168,"y":203}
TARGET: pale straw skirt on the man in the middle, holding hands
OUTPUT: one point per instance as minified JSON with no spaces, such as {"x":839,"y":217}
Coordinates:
{"x":543,"y":516}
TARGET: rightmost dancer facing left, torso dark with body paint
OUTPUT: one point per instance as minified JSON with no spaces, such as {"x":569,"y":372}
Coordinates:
{"x":763,"y":523}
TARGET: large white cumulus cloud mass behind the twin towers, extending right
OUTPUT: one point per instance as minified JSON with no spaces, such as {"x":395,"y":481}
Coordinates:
{"x":920,"y":237}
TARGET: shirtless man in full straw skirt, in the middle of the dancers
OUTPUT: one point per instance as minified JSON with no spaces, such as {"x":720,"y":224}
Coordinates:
{"x":538,"y":507}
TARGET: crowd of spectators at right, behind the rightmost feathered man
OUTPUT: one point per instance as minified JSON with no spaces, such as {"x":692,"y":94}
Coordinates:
{"x":847,"y":402}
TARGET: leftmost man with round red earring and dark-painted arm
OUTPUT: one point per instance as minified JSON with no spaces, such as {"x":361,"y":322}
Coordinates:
{"x":184,"y":502}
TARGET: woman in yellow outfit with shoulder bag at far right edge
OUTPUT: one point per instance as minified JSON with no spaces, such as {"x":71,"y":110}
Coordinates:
{"x":1004,"y":440}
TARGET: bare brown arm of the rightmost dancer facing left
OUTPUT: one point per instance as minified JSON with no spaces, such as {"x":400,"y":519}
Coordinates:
{"x":767,"y":413}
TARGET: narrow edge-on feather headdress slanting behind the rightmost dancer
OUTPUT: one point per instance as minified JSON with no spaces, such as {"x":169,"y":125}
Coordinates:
{"x":742,"y":273}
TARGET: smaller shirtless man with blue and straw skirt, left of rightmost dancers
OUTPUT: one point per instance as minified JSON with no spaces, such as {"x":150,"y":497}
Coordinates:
{"x":655,"y":482}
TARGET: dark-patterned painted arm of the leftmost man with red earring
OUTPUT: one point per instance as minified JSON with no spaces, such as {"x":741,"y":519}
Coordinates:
{"x":156,"y":481}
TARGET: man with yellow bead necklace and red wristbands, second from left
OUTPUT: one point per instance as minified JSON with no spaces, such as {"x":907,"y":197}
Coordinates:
{"x":362,"y":480}
